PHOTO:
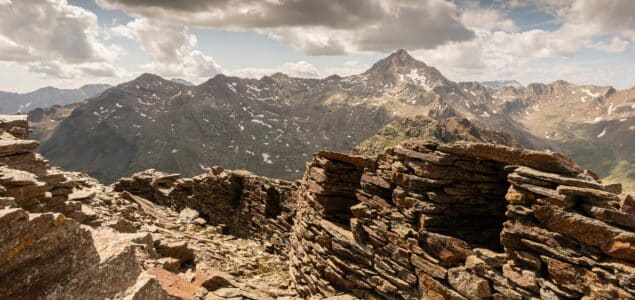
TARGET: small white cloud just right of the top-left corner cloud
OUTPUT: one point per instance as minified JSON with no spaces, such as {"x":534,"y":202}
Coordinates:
{"x":171,"y":47}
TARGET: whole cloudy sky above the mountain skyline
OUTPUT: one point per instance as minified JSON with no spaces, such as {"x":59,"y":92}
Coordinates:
{"x":69,"y":43}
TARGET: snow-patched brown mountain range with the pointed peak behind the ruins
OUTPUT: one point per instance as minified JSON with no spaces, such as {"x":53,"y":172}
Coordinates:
{"x":270,"y":125}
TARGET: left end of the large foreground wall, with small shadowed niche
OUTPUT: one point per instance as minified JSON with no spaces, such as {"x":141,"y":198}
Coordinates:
{"x":326,"y":258}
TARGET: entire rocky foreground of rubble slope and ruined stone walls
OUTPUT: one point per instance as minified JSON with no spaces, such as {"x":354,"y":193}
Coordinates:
{"x":462,"y":220}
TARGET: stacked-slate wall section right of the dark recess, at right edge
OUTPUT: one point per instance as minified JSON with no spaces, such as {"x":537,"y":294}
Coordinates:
{"x":568,"y":235}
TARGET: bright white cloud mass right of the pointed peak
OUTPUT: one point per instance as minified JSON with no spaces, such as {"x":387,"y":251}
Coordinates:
{"x":502,"y":51}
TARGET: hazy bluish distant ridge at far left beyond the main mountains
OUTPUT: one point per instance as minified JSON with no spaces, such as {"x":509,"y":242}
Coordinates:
{"x":47,"y":97}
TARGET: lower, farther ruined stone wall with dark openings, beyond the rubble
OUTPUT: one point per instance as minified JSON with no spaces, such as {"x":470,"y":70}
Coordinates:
{"x":246,"y":204}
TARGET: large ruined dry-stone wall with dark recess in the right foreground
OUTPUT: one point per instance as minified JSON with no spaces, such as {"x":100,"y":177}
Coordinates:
{"x":461,"y":220}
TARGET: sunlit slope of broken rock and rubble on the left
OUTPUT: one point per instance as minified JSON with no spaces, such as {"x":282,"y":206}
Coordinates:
{"x":125,"y":247}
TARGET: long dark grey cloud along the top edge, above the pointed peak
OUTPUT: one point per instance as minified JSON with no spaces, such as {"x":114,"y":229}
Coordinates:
{"x":318,"y":27}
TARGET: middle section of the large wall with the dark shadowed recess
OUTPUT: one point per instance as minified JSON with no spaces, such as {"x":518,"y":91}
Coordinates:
{"x":441,"y":192}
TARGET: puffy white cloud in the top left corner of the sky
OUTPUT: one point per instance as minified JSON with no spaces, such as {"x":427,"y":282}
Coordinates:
{"x":54,"y":39}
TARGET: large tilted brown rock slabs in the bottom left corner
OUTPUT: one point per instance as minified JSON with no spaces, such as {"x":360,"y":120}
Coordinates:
{"x":48,"y":255}
